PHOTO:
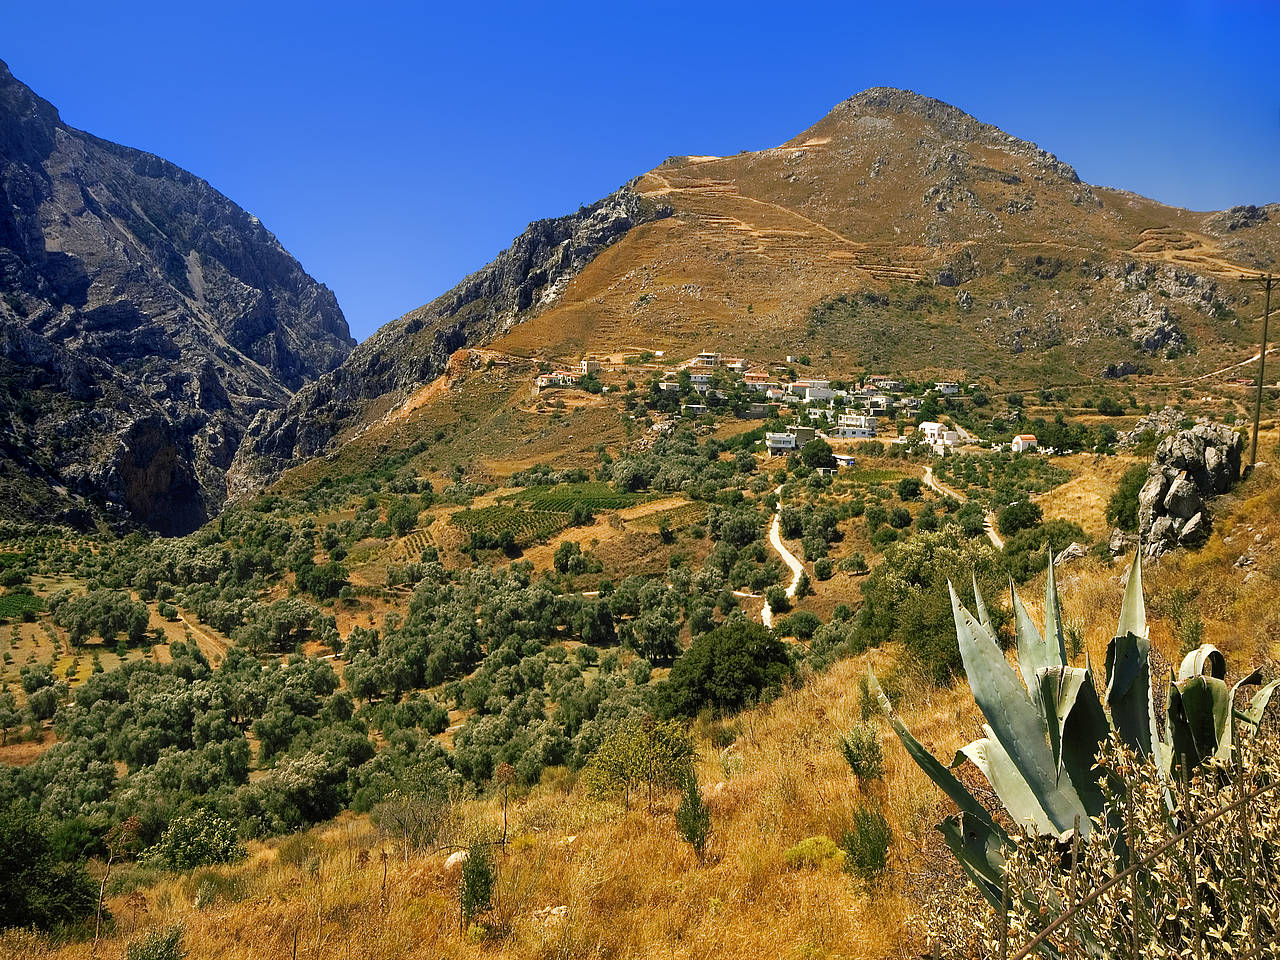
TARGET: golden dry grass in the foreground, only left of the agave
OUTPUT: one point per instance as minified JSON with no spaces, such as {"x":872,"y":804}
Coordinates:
{"x":632,"y":889}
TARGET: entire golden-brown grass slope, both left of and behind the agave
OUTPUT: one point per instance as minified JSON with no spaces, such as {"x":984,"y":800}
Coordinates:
{"x":629,"y":886}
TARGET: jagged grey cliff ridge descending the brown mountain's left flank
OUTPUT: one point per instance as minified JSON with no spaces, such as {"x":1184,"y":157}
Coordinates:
{"x":524,"y":280}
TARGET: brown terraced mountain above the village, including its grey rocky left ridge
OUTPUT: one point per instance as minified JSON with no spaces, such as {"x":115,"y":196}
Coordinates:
{"x":898,"y":235}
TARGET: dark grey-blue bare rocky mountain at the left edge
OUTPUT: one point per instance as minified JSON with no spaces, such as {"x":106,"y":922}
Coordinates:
{"x":145,"y":319}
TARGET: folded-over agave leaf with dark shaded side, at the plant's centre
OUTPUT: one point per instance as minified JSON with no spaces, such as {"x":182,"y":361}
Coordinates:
{"x":1077,"y":729}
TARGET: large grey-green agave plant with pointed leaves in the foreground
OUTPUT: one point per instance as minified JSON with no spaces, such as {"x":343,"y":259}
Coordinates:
{"x":1045,"y":729}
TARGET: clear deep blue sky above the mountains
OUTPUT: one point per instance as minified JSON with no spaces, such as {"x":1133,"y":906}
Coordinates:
{"x":396,"y":147}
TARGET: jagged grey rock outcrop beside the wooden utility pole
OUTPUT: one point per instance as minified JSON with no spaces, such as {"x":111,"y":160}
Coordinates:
{"x":1190,"y":469}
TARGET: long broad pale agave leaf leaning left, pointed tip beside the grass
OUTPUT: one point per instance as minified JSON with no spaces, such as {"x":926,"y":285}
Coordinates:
{"x":1014,"y":720}
